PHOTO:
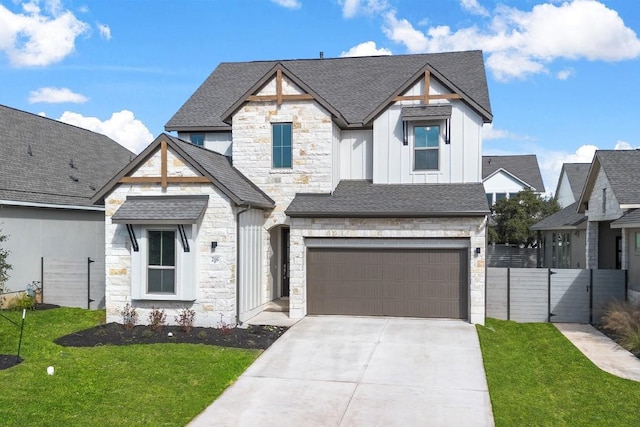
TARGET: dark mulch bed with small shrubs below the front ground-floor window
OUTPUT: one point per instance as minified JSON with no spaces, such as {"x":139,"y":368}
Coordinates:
{"x":252,"y":337}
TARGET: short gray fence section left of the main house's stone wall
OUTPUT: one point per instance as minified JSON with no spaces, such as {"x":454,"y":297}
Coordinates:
{"x":73,"y":282}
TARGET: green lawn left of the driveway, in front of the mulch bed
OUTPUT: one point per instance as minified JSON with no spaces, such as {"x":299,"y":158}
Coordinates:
{"x":158,"y":384}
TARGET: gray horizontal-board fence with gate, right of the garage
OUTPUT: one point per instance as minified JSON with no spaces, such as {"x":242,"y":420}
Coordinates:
{"x":552,"y":295}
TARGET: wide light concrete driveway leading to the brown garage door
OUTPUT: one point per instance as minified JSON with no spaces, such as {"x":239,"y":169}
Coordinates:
{"x":361,"y":371}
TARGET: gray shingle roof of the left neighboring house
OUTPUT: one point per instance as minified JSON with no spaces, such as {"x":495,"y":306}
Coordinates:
{"x":48,"y":162}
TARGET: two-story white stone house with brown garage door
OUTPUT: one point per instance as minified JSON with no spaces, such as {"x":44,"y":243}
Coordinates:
{"x":349,"y":186}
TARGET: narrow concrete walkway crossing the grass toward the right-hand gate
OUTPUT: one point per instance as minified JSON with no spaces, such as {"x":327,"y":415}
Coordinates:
{"x":601,"y":350}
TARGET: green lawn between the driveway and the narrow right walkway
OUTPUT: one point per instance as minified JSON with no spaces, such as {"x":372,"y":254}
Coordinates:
{"x":538,"y":378}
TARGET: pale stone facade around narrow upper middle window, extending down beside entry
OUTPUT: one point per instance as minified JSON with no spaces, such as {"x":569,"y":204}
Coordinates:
{"x":311,"y":172}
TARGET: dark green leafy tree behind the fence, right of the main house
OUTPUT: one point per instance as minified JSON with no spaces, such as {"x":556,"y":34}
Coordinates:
{"x":514,"y":216}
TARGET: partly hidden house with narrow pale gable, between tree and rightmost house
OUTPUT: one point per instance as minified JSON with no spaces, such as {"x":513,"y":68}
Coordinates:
{"x":563,"y":233}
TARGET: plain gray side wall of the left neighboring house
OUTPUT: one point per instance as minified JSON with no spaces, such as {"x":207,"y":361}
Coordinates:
{"x":42,"y":232}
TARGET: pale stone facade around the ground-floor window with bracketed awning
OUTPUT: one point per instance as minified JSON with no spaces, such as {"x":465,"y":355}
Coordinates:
{"x":215,"y":271}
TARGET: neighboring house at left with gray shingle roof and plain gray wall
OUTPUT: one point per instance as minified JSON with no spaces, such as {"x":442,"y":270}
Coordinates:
{"x":49,"y":172}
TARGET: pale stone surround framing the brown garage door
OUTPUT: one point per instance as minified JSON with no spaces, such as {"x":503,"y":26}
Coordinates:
{"x":473,"y":229}
